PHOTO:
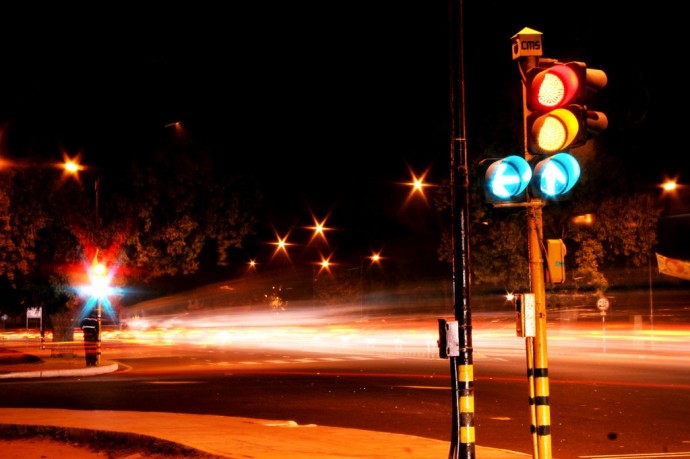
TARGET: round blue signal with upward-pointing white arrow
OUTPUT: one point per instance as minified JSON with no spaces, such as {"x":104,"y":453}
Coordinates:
{"x":556,"y":175}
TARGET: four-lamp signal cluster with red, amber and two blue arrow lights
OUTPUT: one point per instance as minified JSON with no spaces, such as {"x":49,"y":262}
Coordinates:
{"x":556,"y":119}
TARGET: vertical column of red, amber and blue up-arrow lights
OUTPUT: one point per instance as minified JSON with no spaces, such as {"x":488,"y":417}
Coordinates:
{"x":557,"y":119}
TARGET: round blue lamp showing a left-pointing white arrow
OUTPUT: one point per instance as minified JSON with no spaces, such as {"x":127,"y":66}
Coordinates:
{"x":507,"y":179}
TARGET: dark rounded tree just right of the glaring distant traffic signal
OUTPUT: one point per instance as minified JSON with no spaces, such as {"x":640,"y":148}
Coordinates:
{"x":177,"y":204}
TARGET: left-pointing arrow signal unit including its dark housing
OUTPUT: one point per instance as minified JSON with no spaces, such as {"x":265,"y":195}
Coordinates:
{"x":505,"y":180}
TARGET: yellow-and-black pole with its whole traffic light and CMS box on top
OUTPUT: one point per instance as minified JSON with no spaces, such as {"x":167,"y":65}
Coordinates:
{"x":556,"y":118}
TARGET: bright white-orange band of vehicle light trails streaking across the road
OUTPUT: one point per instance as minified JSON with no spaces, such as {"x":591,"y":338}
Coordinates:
{"x":415,"y":336}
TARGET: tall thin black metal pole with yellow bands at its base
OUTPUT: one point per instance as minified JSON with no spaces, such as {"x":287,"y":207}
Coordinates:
{"x":462,"y":372}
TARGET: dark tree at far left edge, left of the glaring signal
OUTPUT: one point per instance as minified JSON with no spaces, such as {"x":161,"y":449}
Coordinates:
{"x":35,"y":245}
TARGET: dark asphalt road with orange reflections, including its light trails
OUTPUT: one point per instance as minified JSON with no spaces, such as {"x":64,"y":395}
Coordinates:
{"x":616,"y":388}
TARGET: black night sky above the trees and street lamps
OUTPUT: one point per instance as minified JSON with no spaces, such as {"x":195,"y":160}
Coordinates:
{"x":328,"y":104}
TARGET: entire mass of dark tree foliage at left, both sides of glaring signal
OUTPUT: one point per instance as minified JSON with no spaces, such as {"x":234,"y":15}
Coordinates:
{"x":168,"y":213}
